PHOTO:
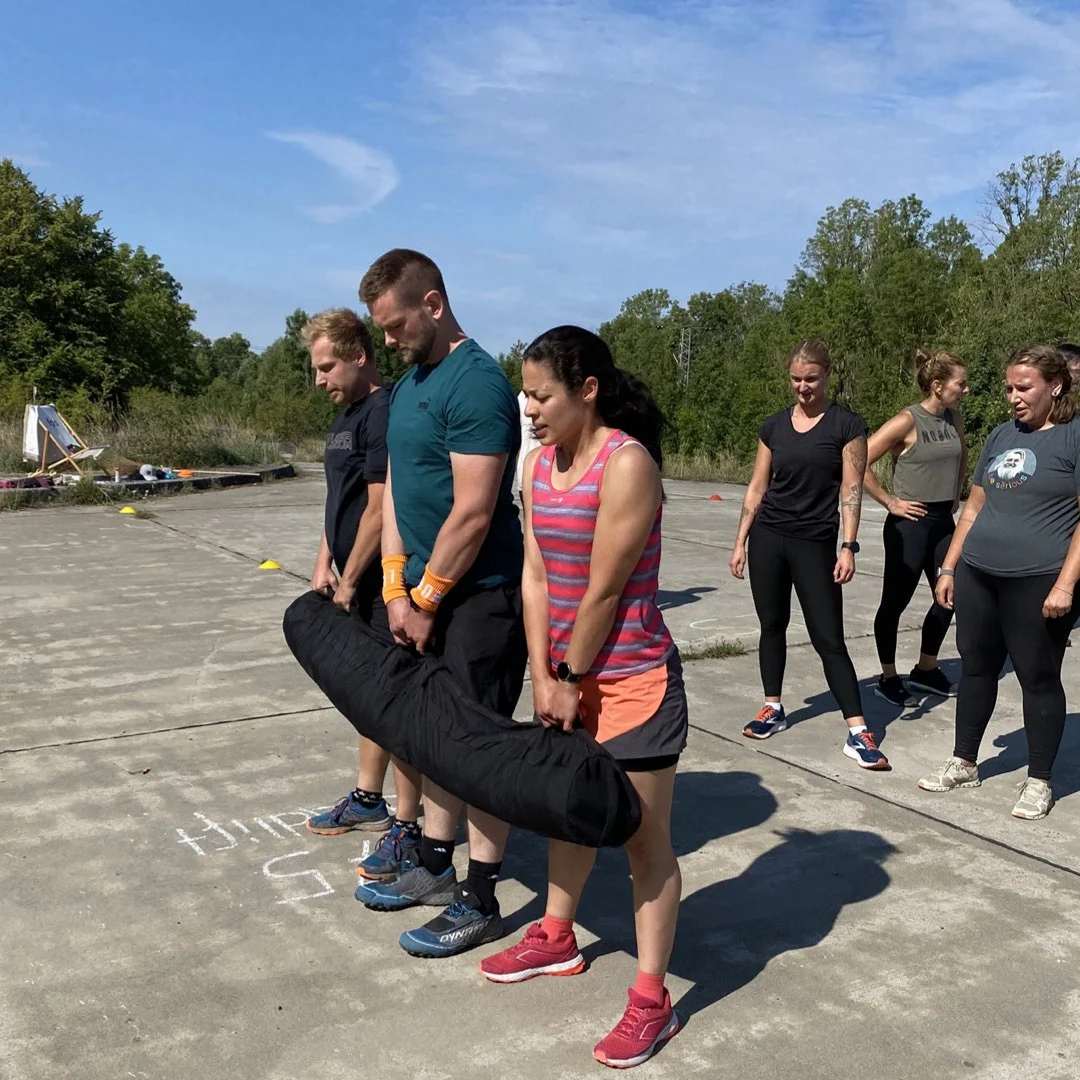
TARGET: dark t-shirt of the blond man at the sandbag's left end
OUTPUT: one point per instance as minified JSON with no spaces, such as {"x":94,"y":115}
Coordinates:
{"x":356,"y":456}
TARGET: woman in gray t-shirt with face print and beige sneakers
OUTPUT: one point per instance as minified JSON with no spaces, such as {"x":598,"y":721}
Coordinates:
{"x":1016,"y":558}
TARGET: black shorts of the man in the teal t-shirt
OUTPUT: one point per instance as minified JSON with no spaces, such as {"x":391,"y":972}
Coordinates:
{"x":481,"y":638}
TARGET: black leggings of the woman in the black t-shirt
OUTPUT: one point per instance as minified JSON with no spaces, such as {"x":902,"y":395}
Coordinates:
{"x":777,"y":563}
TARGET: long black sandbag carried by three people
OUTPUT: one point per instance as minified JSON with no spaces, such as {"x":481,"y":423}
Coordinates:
{"x":561,"y":786}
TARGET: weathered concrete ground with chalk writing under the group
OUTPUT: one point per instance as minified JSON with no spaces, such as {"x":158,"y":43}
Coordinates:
{"x":164,"y":913}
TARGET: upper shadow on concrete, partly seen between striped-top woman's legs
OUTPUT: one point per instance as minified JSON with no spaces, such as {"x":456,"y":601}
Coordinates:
{"x":708,"y":806}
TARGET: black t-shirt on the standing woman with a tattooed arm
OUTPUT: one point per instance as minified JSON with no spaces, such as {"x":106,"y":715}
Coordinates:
{"x":804,"y":495}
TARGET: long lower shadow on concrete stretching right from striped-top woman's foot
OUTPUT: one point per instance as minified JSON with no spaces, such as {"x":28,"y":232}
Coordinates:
{"x":788,"y":899}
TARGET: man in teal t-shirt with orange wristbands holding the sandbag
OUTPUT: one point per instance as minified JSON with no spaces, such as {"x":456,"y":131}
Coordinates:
{"x":452,"y":557}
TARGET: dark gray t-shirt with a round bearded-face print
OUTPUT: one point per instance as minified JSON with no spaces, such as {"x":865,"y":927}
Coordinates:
{"x":1032,"y":480}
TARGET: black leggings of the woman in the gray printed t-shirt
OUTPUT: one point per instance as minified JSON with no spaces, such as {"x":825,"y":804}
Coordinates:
{"x":998,"y":617}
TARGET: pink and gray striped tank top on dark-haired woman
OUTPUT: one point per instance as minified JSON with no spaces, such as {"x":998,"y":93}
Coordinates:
{"x":564,"y":524}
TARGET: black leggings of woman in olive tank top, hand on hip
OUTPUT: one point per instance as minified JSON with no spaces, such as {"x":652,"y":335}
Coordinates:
{"x":913,"y":549}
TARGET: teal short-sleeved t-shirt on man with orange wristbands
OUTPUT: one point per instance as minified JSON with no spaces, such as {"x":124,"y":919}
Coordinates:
{"x":463,"y":406}
